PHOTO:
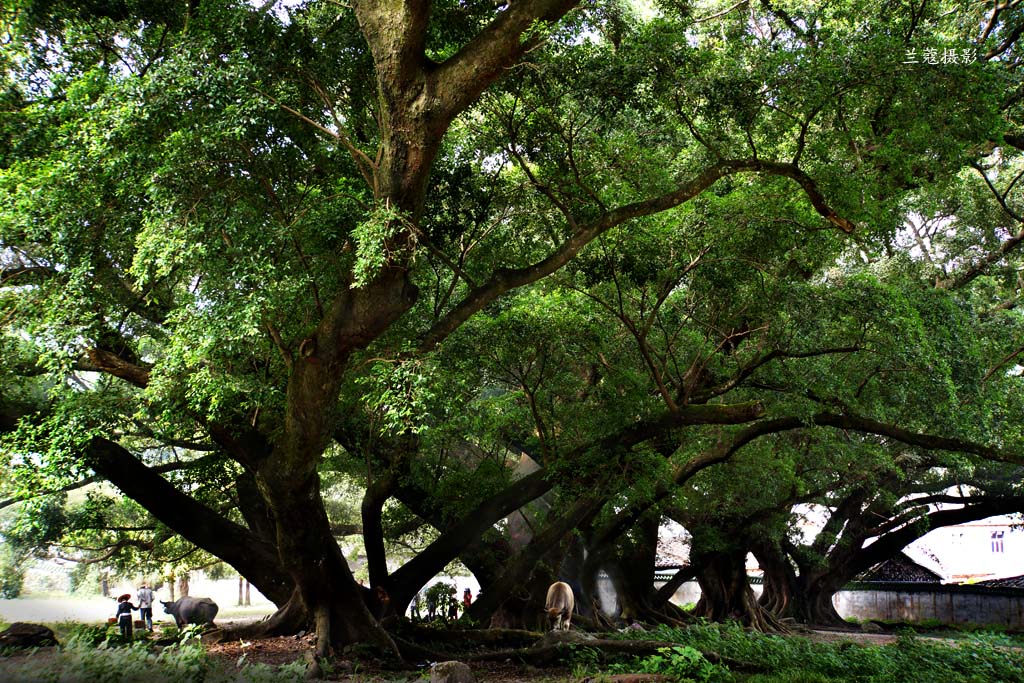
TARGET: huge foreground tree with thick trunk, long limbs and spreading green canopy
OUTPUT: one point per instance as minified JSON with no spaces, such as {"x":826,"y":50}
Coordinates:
{"x":248,"y":247}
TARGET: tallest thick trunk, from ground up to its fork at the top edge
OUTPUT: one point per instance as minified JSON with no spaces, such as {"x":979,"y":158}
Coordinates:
{"x":417,"y":103}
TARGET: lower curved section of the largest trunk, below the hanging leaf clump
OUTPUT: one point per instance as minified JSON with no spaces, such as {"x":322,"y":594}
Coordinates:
{"x":288,"y":477}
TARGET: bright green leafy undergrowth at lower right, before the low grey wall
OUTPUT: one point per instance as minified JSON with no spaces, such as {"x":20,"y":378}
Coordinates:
{"x":980,"y":659}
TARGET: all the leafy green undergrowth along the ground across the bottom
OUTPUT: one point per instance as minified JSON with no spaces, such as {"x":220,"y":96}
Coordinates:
{"x":751,"y":658}
